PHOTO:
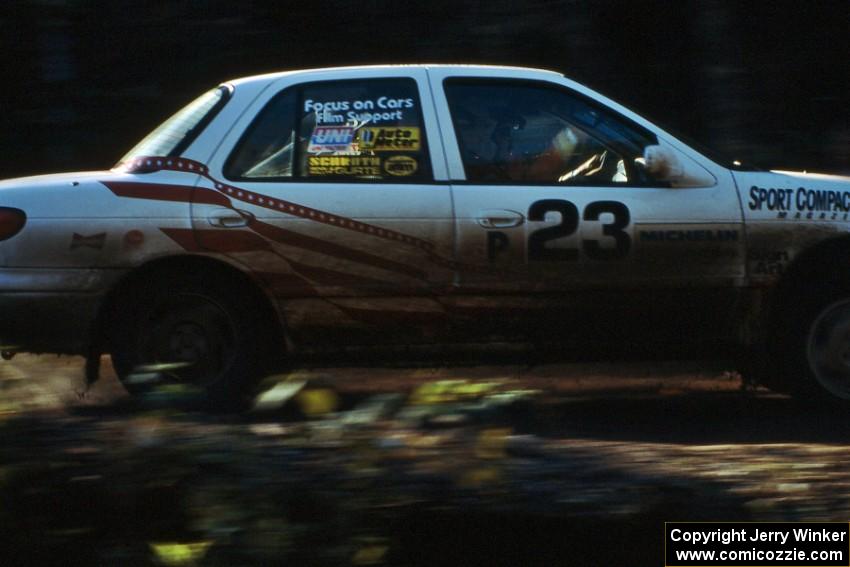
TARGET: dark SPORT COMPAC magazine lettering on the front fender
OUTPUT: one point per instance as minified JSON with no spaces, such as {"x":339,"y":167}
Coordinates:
{"x":801,"y":203}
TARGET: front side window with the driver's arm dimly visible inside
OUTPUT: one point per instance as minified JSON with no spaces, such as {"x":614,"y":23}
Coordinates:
{"x":532,"y":132}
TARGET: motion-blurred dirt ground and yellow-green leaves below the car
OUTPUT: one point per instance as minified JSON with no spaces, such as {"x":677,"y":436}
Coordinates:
{"x":508,"y":465}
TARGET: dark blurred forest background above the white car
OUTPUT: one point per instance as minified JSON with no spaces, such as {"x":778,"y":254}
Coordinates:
{"x":766,"y":82}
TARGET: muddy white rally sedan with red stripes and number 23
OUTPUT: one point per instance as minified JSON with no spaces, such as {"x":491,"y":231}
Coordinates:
{"x":423,"y":204}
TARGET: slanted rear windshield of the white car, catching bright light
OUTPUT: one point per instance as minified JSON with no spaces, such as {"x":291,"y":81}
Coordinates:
{"x":176,"y":133}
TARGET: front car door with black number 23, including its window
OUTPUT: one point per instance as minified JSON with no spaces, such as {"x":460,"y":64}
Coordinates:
{"x":559,"y":229}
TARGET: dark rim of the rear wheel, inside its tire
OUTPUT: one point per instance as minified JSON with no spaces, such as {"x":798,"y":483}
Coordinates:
{"x":192,"y":329}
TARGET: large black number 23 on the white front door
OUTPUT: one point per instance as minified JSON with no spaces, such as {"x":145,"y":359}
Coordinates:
{"x":537,"y":251}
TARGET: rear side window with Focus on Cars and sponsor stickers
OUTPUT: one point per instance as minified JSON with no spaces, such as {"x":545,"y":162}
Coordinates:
{"x":368,"y":129}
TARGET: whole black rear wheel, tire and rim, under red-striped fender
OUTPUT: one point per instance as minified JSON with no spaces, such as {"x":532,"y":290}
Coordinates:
{"x":210,"y":323}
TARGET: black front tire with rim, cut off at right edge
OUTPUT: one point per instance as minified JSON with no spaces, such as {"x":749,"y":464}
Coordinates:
{"x":810,"y":358}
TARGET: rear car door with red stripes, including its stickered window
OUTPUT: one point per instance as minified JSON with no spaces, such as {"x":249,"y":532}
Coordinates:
{"x":331,"y":202}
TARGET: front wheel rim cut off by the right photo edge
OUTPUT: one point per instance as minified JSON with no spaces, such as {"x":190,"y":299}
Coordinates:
{"x":829,"y":348}
